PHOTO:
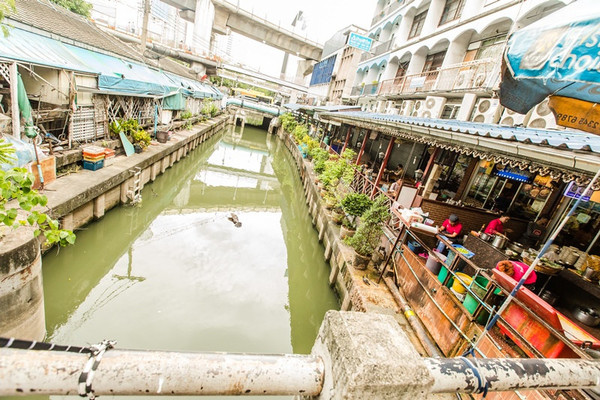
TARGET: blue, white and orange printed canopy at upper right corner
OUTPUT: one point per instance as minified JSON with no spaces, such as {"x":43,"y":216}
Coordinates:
{"x":557,"y":56}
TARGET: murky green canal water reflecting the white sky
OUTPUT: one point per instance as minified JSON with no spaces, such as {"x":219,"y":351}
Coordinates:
{"x":176,"y":274}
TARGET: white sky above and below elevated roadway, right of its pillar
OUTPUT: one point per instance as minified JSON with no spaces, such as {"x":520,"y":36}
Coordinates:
{"x":322,"y":18}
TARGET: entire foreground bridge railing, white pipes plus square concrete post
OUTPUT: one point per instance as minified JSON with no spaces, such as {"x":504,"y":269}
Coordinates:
{"x":356,"y":356}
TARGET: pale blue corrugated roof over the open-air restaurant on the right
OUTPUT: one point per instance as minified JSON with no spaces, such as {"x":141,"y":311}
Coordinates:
{"x":563,"y":139}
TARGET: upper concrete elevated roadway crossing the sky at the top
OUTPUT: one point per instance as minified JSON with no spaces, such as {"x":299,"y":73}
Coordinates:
{"x":231,"y":16}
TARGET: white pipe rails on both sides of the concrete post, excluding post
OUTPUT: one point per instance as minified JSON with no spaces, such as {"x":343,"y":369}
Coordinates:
{"x":122,"y":372}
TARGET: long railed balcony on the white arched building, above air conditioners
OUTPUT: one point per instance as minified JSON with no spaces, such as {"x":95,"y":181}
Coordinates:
{"x":474,"y":75}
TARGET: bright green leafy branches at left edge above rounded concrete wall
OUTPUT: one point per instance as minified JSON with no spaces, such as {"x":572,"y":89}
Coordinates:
{"x":16,"y":185}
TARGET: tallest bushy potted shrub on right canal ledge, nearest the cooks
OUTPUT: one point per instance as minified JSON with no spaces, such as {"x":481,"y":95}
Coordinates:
{"x":368,"y":235}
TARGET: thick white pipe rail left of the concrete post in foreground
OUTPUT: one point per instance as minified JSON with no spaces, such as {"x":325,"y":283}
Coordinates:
{"x":130,"y":372}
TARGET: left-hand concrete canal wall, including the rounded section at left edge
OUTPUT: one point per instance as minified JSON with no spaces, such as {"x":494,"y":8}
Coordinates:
{"x":76,"y":200}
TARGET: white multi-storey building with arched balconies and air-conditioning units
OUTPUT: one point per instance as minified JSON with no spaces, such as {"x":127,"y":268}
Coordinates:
{"x":442,"y":59}
